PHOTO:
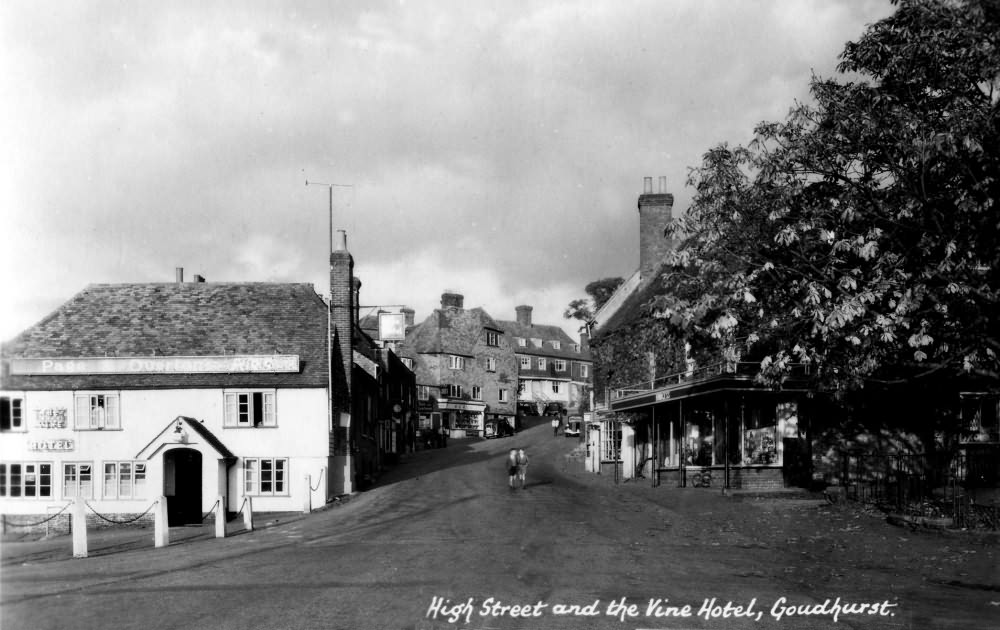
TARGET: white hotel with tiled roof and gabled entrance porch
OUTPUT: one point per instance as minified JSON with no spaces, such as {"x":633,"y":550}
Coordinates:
{"x":190,"y":391}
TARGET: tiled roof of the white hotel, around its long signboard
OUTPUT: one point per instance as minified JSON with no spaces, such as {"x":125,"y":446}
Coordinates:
{"x":178,"y":319}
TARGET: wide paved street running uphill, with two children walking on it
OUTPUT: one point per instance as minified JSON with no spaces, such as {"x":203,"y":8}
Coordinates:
{"x":443,"y":529}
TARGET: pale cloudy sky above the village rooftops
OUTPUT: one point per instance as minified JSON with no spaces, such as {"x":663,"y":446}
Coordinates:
{"x":493,"y":149}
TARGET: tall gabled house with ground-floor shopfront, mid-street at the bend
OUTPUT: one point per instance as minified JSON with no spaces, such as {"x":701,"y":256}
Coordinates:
{"x":466,"y":372}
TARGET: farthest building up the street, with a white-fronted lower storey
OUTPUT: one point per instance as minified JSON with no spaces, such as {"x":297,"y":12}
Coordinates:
{"x":553,"y":371}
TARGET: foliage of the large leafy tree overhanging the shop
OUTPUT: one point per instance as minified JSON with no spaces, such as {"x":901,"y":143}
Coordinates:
{"x":860,"y":235}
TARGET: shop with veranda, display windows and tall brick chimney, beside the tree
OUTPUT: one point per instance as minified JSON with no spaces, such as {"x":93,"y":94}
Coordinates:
{"x":665,"y":417}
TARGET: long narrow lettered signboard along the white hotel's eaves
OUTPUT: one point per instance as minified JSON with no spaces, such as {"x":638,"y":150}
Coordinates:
{"x":224,"y":364}
